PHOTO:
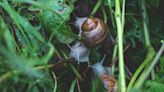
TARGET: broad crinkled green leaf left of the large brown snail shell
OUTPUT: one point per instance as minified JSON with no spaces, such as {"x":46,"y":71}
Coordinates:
{"x":54,"y":21}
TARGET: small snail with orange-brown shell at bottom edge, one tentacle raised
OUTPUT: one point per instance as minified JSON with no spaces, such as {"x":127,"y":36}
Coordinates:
{"x":109,"y":82}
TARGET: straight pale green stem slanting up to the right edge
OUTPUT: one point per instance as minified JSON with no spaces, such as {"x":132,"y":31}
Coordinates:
{"x":148,"y":69}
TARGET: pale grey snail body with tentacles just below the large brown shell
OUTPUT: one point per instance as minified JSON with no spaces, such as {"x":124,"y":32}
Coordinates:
{"x":79,"y":52}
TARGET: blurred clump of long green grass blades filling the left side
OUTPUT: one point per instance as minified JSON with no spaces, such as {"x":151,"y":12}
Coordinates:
{"x":19,"y":61}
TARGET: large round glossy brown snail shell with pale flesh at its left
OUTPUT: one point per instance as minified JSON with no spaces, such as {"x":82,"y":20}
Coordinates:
{"x":93,"y":31}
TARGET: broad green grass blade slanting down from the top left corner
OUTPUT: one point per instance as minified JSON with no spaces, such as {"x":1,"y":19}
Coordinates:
{"x":28,"y":32}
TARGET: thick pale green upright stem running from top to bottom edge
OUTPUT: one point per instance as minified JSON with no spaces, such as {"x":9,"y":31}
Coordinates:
{"x":122,"y":84}
